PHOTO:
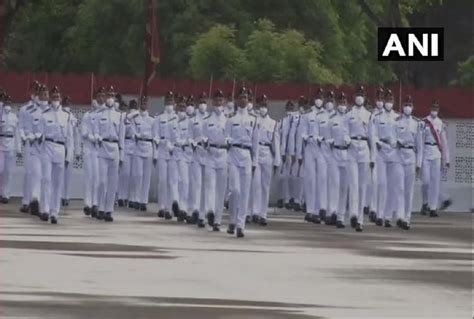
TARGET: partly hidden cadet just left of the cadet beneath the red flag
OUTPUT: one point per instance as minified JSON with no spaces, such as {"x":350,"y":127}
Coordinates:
{"x":126,"y":188}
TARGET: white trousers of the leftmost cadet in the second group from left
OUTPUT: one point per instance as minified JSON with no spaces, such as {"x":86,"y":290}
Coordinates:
{"x":91,"y":179}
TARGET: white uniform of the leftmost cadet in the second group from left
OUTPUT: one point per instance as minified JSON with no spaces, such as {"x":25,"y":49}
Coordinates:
{"x":91,"y":161}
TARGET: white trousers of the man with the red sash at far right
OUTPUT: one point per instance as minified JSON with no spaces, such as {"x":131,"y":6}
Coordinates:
{"x":431,"y":176}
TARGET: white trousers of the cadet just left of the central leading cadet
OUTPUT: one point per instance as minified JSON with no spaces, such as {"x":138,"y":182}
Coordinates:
{"x":215,"y":180}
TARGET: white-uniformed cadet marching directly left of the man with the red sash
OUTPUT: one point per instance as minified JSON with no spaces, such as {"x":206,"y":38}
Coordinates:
{"x":409,"y":150}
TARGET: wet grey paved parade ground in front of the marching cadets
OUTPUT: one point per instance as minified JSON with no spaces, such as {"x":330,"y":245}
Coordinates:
{"x":143,"y":267}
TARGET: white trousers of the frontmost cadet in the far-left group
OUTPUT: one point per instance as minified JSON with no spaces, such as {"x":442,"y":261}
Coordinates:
{"x":52,"y":181}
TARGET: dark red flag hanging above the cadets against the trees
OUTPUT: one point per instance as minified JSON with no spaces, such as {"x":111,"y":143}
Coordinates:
{"x":152,"y":46}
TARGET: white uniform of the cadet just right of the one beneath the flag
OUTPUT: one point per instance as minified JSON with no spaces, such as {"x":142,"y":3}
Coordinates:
{"x":164,"y":132}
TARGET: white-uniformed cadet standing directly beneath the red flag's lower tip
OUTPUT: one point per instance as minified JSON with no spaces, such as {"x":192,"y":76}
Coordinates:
{"x":142,"y":129}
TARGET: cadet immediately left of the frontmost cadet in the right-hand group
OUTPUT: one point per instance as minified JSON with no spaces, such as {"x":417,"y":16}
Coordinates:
{"x":339,"y":144}
